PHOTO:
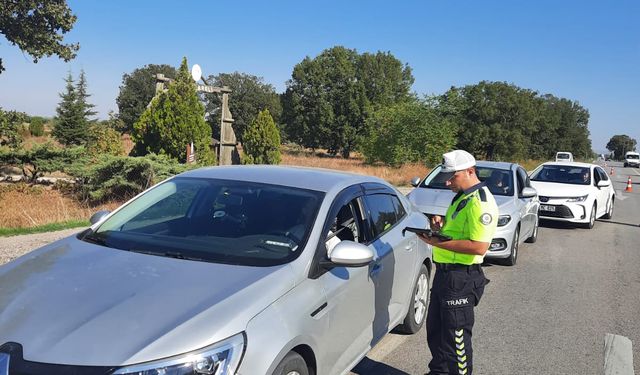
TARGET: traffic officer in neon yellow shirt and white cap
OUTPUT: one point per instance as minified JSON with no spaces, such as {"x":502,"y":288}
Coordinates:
{"x":459,"y":281}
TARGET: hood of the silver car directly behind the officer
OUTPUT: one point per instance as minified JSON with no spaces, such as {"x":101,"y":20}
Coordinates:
{"x":436,"y":201}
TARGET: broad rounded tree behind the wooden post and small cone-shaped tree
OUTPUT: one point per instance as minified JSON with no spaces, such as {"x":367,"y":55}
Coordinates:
{"x":249,"y":95}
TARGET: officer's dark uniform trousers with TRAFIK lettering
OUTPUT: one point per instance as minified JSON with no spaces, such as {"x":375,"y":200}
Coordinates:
{"x":456,"y":290}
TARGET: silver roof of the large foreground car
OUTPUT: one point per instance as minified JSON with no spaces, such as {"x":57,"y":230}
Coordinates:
{"x":299,"y":177}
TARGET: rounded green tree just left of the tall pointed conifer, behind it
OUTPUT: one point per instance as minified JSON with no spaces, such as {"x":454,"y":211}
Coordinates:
{"x":136,"y":92}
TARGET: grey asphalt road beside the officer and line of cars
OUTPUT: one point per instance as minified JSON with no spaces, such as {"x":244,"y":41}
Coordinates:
{"x":550,"y":313}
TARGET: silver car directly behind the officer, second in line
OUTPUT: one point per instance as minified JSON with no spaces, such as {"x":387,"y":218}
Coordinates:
{"x":517,"y":203}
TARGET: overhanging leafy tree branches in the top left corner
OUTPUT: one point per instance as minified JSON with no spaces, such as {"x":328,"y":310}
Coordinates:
{"x":38,"y":27}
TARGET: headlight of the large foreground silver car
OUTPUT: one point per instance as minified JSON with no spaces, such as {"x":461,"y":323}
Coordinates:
{"x":222,"y":358}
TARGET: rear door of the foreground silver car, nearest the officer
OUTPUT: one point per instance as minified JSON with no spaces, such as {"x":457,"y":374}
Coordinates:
{"x":395,"y":259}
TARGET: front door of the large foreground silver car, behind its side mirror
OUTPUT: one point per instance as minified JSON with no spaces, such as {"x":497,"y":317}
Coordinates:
{"x":349,"y":292}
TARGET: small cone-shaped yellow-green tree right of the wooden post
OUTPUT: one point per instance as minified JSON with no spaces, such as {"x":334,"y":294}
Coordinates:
{"x":262,"y":141}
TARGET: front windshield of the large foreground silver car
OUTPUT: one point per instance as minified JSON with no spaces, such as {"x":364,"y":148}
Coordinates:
{"x":213,"y":220}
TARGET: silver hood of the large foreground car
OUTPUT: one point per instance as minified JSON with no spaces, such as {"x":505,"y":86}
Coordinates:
{"x":77,"y":303}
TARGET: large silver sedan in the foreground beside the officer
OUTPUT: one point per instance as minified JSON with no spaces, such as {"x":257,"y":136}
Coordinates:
{"x":227,"y":270}
